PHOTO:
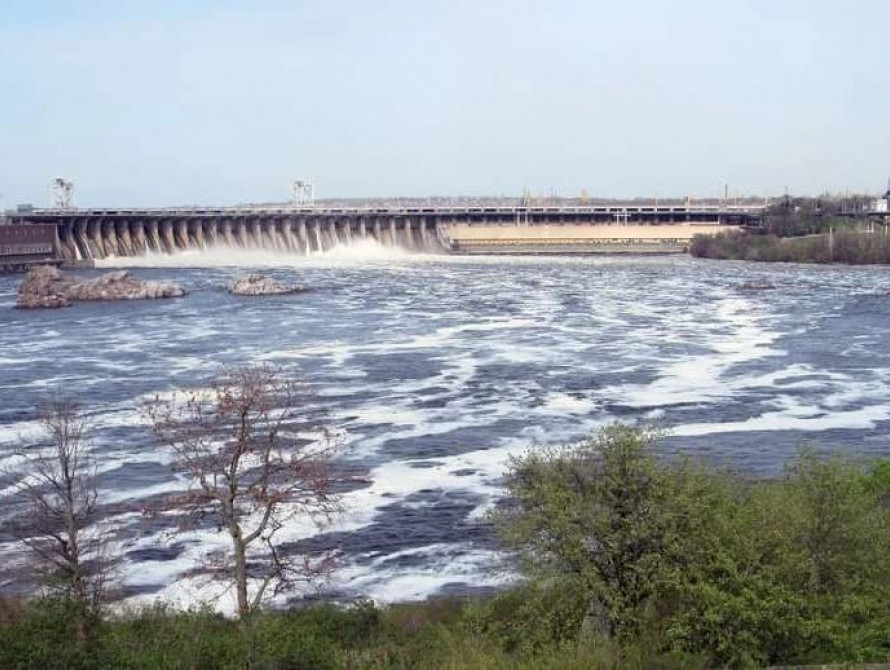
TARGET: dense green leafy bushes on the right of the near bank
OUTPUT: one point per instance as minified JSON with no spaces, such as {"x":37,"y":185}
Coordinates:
{"x":694,"y":560}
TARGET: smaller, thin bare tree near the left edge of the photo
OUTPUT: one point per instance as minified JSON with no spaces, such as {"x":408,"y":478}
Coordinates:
{"x":56,"y":496}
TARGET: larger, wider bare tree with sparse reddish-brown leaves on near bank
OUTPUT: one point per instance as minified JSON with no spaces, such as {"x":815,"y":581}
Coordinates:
{"x":250,"y":473}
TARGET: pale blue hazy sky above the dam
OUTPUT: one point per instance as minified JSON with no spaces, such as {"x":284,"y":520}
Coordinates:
{"x":215,"y":102}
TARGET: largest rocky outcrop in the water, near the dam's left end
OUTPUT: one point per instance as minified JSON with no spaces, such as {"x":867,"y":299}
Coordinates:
{"x":46,"y":287}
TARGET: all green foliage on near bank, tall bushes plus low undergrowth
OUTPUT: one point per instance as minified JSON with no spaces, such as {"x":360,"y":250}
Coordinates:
{"x":632,"y":561}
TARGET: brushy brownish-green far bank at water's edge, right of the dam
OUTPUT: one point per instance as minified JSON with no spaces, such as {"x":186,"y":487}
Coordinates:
{"x":844,"y":246}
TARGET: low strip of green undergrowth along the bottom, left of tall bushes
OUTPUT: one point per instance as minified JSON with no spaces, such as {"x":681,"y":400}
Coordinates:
{"x":437,"y":634}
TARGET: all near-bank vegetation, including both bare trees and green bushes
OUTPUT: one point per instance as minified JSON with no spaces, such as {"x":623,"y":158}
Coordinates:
{"x":628,"y":558}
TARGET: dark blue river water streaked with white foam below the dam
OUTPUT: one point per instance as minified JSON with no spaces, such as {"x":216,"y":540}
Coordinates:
{"x":437,"y":369}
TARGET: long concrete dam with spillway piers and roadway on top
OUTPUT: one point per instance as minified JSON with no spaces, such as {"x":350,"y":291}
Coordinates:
{"x":91,"y":234}
